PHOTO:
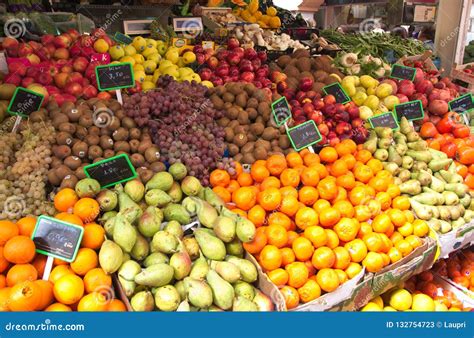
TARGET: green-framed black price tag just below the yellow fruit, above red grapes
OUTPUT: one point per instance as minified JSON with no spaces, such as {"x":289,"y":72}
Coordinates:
{"x":115,"y":76}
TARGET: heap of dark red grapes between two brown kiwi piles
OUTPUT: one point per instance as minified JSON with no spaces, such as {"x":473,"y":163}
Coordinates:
{"x":182,"y":124}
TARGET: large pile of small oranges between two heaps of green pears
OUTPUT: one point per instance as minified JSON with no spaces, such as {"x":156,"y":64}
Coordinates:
{"x":321,"y":218}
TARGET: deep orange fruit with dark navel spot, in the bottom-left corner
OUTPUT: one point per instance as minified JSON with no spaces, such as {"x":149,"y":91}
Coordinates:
{"x":25,"y":296}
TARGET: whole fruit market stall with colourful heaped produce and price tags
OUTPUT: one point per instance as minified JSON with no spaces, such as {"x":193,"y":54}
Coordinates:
{"x":163,"y":172}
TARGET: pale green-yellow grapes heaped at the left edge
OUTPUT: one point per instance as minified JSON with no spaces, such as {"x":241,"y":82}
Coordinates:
{"x":24,"y":164}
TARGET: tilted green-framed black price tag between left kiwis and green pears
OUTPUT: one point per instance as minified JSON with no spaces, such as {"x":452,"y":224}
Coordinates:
{"x":111,"y":171}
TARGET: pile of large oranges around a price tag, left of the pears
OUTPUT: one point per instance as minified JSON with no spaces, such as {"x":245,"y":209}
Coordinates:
{"x":81,"y":285}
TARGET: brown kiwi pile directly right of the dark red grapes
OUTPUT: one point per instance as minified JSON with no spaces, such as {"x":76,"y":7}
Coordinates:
{"x":250,"y":131}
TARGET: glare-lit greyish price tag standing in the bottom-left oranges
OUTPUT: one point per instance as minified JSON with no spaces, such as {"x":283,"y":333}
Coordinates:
{"x":55,"y":238}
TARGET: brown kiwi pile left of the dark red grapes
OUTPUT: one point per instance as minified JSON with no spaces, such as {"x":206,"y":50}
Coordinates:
{"x":91,"y":131}
